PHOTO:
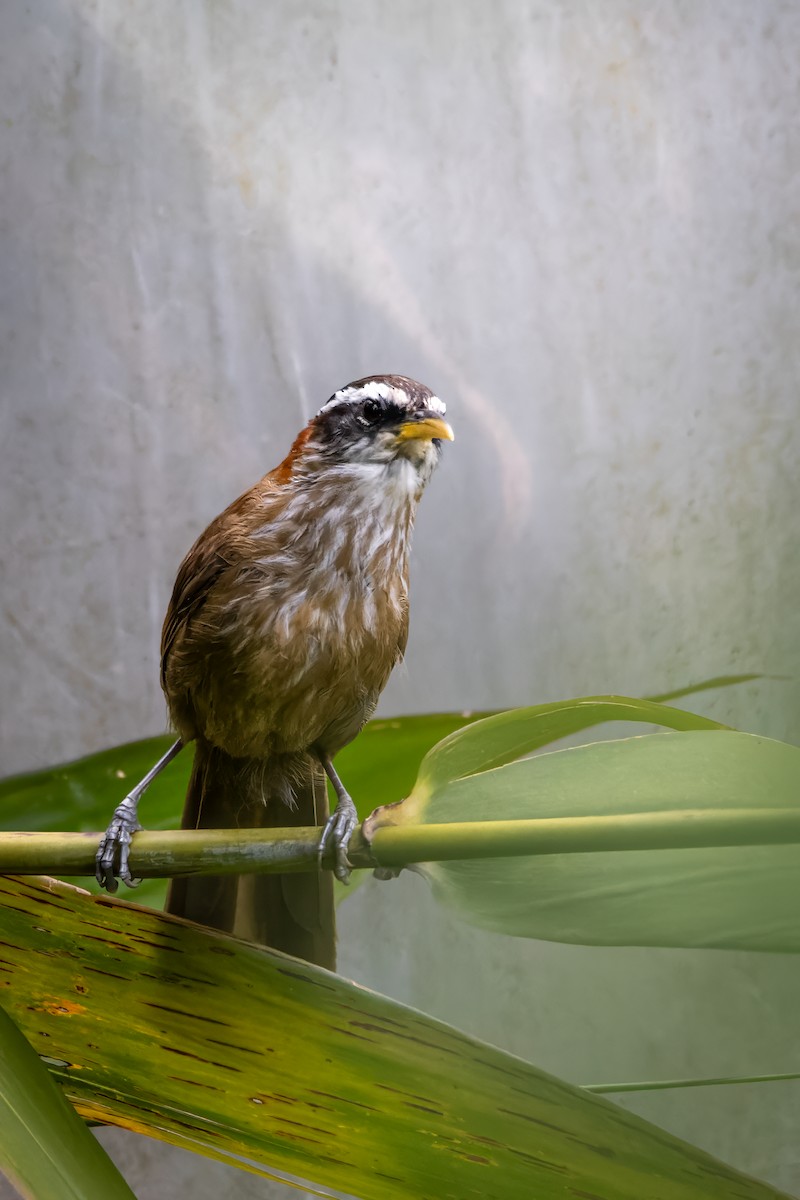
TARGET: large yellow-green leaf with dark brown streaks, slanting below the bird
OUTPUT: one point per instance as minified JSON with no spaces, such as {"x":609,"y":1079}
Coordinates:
{"x":219,"y":1046}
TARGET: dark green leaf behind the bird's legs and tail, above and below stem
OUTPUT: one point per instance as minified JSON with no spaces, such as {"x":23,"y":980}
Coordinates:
{"x":378,"y":767}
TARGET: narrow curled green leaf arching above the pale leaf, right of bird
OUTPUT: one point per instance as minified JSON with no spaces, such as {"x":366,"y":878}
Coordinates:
{"x":504,"y":737}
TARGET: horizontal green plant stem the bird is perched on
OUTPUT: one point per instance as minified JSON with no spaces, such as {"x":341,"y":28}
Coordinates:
{"x":244,"y":851}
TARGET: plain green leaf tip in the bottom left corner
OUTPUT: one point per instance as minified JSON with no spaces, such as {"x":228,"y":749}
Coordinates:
{"x":46,"y":1150}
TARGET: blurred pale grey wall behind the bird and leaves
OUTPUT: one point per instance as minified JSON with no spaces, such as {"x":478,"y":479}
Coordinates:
{"x":580,"y":225}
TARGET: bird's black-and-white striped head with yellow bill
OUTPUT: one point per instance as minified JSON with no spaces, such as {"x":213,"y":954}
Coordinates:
{"x":380,"y":422}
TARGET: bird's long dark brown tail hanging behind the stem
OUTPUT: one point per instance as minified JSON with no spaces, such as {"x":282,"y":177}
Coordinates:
{"x":293,"y":914}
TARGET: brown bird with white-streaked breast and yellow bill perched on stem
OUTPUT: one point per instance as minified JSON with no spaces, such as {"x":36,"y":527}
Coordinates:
{"x":287,"y":619}
